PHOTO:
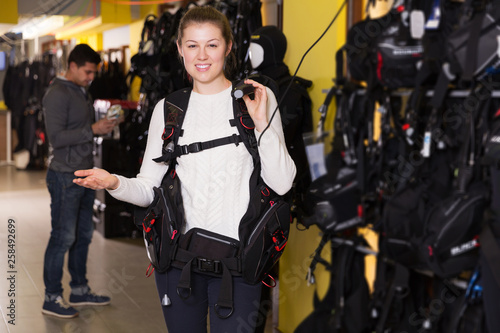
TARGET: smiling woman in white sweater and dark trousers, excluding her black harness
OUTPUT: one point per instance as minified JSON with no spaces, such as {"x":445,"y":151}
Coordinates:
{"x":215,"y":182}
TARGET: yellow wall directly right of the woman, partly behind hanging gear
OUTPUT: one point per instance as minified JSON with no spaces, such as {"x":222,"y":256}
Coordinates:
{"x":303,"y":24}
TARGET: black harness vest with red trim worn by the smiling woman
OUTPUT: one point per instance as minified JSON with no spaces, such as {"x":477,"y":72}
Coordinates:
{"x":263,"y":229}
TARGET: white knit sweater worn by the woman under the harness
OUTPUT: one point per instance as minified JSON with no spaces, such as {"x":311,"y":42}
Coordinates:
{"x":215,"y":182}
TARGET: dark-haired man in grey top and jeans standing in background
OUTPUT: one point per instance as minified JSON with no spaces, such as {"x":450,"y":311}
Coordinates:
{"x":69,"y":117}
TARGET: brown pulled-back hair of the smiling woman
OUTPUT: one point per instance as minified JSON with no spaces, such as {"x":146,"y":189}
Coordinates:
{"x":208,"y":14}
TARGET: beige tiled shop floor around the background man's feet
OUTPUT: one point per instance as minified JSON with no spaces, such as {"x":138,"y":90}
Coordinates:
{"x":116,"y":267}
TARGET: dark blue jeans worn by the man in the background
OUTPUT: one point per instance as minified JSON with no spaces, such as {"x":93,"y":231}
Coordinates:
{"x":72,"y":228}
